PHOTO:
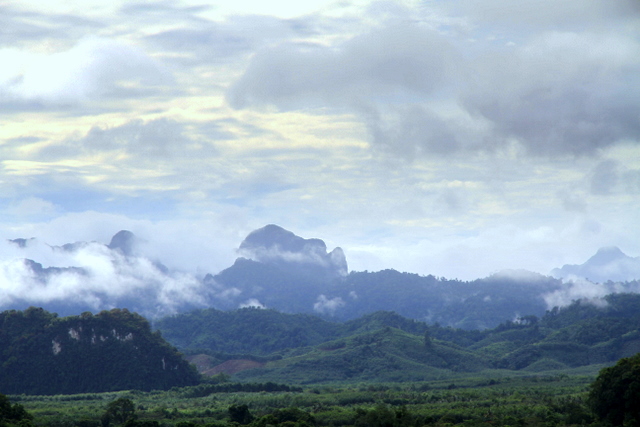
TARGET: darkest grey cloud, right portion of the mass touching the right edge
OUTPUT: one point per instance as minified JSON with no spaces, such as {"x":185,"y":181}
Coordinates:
{"x":560,"y":93}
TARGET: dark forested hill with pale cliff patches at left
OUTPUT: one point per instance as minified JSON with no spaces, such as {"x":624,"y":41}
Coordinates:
{"x":113,"y":350}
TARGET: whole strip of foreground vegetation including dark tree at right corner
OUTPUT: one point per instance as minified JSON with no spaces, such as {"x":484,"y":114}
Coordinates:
{"x":560,"y":400}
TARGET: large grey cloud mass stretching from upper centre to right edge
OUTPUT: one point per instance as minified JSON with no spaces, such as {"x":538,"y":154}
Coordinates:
{"x":421,"y":92}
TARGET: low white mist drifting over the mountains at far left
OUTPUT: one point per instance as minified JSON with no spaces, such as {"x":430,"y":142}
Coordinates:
{"x":93,"y":276}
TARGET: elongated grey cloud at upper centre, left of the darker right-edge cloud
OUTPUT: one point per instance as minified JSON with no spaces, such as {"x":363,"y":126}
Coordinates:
{"x":390,"y":65}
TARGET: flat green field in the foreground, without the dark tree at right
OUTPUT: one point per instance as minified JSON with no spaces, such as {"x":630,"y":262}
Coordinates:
{"x":472,"y":401}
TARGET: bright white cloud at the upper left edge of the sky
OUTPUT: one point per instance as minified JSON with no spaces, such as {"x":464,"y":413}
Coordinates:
{"x":93,"y":68}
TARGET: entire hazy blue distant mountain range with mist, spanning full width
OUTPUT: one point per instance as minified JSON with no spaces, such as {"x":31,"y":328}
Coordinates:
{"x":276,"y":269}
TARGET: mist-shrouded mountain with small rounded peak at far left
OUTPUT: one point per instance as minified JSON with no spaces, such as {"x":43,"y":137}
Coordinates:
{"x":95,"y":277}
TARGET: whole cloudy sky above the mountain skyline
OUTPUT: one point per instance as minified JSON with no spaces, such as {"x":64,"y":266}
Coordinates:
{"x":454,"y":138}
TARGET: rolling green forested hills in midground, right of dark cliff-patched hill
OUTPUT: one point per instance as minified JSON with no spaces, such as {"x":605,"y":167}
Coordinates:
{"x":385,"y":346}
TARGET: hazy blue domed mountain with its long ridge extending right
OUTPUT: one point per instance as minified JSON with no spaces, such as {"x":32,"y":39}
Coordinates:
{"x":291,"y":274}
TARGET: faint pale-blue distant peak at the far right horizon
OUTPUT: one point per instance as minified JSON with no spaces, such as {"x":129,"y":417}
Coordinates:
{"x":608,"y":264}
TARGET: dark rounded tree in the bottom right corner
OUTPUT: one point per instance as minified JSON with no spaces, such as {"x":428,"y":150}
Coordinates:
{"x":615,"y":393}
